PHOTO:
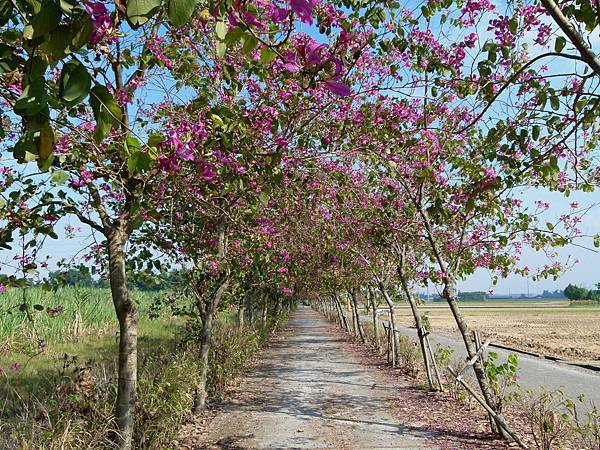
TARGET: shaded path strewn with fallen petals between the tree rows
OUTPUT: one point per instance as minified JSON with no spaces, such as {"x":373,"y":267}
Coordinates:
{"x":311,"y":392}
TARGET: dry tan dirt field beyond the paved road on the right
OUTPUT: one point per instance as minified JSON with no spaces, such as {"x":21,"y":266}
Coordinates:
{"x":547,"y":327}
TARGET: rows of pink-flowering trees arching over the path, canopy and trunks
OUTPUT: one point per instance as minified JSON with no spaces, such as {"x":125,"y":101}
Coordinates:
{"x":378,"y":150}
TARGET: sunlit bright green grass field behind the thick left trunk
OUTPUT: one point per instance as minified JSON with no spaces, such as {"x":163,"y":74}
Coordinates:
{"x":36,"y":349}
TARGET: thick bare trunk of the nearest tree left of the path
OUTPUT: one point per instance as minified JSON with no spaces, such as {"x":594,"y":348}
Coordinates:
{"x":127,"y":316}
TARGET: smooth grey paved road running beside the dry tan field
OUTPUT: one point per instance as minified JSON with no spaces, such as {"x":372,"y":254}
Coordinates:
{"x":533,"y":372}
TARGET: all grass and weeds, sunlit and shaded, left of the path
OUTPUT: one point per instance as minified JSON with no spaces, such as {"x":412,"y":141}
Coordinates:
{"x":62,"y":393}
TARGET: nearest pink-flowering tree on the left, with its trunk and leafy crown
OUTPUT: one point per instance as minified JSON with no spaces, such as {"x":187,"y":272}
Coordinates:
{"x":101,"y":162}
